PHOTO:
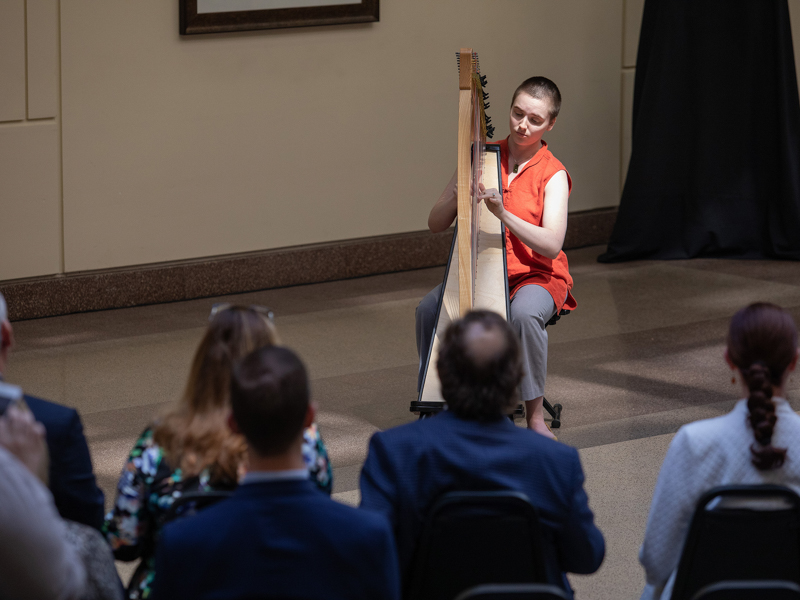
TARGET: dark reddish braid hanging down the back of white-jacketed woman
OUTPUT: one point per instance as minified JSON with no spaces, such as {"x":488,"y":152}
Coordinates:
{"x":762,"y":416}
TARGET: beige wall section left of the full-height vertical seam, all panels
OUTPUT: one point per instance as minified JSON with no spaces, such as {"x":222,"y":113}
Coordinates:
{"x":30,"y":160}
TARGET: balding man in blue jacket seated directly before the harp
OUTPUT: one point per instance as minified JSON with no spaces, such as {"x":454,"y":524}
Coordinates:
{"x":473,"y":446}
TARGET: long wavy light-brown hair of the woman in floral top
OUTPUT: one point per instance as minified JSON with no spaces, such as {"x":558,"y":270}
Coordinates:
{"x":194,"y":433}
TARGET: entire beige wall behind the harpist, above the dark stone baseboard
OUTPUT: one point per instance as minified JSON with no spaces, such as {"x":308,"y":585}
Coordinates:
{"x":122,"y":143}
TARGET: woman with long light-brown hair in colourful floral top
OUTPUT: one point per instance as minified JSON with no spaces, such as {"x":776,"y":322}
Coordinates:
{"x":191,"y":448}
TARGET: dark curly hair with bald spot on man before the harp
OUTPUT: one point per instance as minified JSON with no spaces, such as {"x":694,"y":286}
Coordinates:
{"x":480,"y":367}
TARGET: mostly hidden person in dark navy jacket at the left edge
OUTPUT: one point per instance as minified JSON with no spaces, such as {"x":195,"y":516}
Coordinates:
{"x":71,"y":479}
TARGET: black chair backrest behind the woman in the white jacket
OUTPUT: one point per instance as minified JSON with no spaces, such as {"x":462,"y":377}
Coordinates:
{"x":741,"y":533}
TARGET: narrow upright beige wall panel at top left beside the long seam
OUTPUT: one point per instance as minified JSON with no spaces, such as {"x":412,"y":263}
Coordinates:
{"x":42,"y":27}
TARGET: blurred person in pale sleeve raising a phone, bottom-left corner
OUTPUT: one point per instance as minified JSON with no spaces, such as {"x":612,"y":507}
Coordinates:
{"x":36,"y":562}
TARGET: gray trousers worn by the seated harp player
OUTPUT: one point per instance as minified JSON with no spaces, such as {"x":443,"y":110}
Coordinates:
{"x":531,"y":308}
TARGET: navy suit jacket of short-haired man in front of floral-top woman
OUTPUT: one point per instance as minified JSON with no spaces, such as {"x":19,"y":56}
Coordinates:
{"x":281,"y":539}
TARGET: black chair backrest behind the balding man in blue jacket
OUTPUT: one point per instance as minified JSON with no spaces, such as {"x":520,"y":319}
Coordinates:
{"x":471,"y":538}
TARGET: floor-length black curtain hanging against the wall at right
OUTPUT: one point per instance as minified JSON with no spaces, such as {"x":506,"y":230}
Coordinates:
{"x":715,"y":164}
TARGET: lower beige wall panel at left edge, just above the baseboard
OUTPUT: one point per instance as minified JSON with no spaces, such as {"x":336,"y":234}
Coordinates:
{"x":30,"y":208}
